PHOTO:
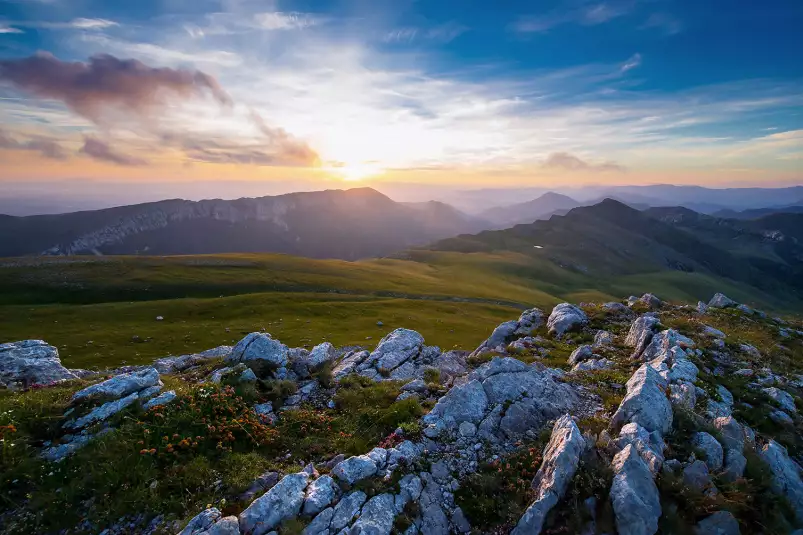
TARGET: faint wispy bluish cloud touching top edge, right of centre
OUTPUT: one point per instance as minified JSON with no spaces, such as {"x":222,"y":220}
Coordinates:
{"x":589,"y":14}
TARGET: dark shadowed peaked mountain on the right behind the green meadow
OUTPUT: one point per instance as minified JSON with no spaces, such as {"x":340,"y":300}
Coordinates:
{"x":610,"y":240}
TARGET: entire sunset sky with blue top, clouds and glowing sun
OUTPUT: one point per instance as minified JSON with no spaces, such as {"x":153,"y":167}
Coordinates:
{"x":445,"y":93}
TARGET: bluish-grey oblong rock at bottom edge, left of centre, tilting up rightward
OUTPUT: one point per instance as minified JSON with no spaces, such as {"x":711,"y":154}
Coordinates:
{"x":280,"y":503}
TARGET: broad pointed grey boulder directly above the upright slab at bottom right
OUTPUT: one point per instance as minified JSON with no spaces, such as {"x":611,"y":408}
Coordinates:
{"x":645,"y":402}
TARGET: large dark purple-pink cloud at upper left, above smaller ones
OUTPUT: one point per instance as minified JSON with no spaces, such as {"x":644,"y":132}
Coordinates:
{"x":107,"y":84}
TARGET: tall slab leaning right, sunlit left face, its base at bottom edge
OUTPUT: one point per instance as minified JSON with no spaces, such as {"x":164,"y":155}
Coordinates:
{"x":561,"y":457}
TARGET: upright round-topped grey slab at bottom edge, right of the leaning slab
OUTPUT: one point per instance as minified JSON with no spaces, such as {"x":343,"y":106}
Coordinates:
{"x":635,"y":498}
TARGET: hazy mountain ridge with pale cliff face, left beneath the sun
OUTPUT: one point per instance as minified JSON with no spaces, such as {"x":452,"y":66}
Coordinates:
{"x":350,"y":224}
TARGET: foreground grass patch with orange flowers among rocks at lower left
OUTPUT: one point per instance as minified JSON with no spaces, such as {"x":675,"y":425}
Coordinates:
{"x":204,"y":448}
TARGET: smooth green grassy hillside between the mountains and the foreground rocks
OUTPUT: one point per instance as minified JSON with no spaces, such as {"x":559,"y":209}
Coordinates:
{"x":102,"y":311}
